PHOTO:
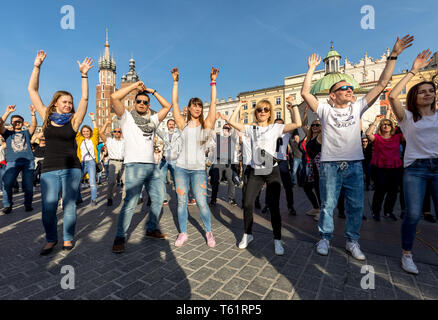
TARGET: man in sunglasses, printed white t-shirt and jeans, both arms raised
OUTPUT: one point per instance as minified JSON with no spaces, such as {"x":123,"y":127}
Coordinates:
{"x":341,"y":154}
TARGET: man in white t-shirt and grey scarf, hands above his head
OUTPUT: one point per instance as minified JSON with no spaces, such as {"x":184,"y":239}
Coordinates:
{"x":138,"y":128}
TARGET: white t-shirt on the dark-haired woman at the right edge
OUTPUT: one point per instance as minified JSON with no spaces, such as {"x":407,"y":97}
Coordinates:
{"x":421,"y":137}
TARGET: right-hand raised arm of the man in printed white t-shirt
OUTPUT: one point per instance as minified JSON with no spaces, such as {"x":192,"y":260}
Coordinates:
{"x":399,"y":46}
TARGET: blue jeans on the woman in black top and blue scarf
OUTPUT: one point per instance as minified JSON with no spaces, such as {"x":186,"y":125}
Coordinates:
{"x":52,"y":183}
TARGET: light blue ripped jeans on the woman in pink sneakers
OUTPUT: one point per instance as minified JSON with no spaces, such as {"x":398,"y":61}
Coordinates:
{"x":198,"y":180}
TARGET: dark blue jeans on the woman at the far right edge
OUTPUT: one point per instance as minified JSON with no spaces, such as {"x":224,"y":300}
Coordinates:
{"x":415,"y":179}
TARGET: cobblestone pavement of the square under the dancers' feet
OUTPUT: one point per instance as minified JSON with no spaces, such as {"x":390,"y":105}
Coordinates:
{"x":156,"y":269}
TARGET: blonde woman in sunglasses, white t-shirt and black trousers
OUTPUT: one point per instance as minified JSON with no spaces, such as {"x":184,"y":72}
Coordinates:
{"x":264,"y":169}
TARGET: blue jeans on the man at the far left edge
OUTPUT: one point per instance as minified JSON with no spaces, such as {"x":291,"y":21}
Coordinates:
{"x":10,"y":175}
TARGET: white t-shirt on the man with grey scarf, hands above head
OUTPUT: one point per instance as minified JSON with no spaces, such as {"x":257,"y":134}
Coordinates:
{"x":139,"y":146}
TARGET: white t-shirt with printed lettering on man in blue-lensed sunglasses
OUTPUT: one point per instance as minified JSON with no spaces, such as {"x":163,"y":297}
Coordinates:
{"x":341,"y":139}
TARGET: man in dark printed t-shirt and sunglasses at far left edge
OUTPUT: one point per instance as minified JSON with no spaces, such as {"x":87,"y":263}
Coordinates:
{"x":19,"y":158}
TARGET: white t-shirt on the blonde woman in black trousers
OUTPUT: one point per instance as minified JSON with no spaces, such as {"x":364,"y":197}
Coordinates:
{"x":263,"y":138}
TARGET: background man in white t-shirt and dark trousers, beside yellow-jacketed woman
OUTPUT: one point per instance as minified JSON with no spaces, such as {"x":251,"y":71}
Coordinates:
{"x":116,"y":152}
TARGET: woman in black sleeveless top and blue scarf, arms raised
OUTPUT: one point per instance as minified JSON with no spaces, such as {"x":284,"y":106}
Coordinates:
{"x":61,"y":170}
